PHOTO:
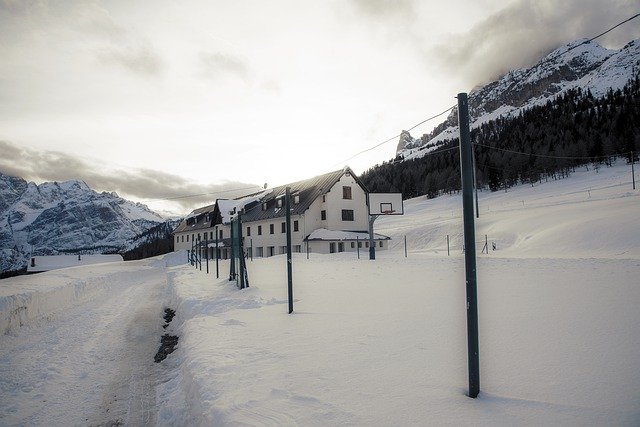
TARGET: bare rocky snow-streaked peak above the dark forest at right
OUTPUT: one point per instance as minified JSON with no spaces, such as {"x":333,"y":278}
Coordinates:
{"x":580,"y":64}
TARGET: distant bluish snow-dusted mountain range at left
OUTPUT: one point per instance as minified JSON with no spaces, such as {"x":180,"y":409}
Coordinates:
{"x":53,"y":218}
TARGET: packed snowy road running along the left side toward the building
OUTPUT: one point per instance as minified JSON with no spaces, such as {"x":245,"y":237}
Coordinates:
{"x":91,"y":364}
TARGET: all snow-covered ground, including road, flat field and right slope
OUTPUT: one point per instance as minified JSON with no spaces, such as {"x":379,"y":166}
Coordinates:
{"x":370,"y":342}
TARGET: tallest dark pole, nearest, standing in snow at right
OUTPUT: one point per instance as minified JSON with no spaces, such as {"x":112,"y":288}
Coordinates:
{"x":466,"y":168}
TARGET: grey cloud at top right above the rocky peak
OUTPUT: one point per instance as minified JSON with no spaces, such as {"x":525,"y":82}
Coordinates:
{"x":519,"y":35}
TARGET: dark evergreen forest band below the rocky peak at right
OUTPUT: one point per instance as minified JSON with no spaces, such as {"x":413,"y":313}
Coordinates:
{"x":572,"y":130}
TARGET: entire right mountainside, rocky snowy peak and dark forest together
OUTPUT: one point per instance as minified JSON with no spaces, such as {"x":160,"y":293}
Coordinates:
{"x":590,"y":120}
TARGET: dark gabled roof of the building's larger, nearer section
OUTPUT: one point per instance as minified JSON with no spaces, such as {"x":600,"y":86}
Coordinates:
{"x":308,"y":190}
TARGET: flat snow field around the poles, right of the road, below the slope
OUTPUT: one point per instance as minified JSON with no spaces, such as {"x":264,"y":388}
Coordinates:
{"x":384,"y":343}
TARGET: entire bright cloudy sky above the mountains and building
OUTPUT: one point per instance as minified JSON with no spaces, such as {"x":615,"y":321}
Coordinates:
{"x":176,"y":103}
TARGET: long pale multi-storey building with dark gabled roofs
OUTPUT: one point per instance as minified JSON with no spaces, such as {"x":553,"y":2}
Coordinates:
{"x":329,"y":214}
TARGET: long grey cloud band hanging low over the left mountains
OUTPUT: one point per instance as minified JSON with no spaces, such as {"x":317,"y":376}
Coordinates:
{"x":146,"y":184}
